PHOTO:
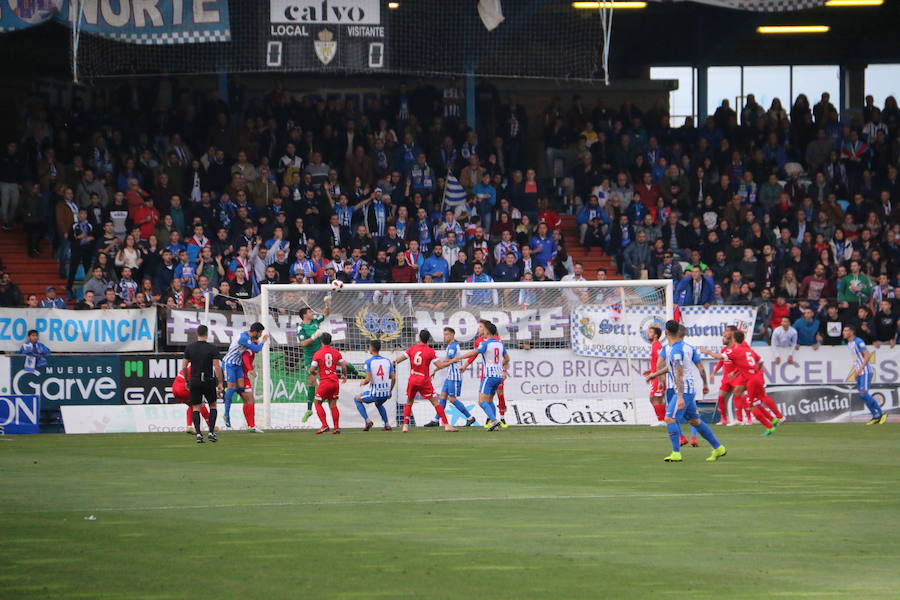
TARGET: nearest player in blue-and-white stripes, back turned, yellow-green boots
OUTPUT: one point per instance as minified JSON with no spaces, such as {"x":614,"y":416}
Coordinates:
{"x":681,"y":390}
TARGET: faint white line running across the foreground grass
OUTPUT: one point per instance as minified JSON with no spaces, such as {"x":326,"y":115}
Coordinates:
{"x":833,"y":493}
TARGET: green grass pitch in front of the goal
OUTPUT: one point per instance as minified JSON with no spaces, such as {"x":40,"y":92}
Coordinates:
{"x":588,"y":512}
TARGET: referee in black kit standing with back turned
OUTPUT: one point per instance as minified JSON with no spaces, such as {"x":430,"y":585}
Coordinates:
{"x":206,"y":379}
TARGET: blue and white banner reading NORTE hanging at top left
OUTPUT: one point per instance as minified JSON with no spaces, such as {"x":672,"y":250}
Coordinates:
{"x":146,"y":22}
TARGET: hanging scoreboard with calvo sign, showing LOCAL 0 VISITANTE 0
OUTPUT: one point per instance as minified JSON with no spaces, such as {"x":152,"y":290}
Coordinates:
{"x":326,"y":35}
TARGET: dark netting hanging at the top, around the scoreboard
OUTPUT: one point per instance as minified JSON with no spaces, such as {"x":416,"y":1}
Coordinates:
{"x":537,"y":39}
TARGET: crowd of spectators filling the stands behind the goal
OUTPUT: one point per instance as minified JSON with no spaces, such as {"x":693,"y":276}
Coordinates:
{"x":165,"y":195}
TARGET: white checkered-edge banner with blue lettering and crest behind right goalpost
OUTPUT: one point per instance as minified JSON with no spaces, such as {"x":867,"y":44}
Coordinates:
{"x":617,"y":331}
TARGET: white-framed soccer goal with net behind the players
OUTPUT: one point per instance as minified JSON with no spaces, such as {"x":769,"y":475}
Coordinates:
{"x":578,"y":349}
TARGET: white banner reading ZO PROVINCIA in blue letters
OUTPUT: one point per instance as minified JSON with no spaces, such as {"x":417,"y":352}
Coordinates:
{"x":61,"y":330}
